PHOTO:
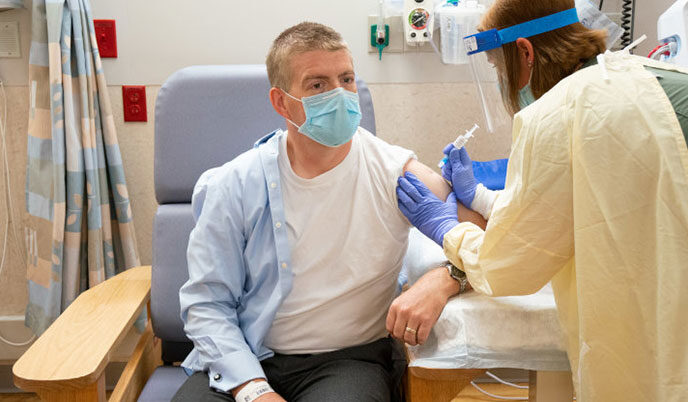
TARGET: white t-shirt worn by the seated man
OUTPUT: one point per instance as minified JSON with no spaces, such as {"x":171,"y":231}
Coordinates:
{"x":348,"y":240}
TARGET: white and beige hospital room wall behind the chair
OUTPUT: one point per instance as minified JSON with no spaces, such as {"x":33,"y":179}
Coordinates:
{"x":419,"y":103}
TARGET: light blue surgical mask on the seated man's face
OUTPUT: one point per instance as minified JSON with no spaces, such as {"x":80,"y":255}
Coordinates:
{"x":332,"y":117}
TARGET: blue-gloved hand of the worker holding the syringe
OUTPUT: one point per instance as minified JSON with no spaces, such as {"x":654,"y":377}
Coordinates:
{"x":459,"y":171}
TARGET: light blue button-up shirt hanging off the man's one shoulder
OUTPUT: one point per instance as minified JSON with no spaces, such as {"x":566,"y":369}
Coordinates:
{"x":239,"y":266}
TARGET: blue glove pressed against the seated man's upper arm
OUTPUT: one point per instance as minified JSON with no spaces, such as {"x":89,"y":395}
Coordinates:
{"x":433,"y":217}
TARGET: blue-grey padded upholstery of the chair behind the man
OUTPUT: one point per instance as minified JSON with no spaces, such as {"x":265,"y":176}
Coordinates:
{"x":204,"y":117}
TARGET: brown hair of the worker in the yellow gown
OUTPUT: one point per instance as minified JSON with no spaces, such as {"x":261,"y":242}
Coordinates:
{"x":557,"y":53}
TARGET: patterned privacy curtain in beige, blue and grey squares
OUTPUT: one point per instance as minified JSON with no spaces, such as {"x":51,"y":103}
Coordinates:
{"x":80,"y":229}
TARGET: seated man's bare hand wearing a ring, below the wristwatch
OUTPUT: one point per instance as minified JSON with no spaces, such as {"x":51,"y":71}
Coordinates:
{"x":420,"y":306}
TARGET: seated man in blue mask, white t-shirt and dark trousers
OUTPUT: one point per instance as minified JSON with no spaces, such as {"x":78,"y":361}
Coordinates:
{"x":298,"y":243}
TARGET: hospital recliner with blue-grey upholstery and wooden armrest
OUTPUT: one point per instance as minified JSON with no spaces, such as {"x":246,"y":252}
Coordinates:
{"x":204,"y":116}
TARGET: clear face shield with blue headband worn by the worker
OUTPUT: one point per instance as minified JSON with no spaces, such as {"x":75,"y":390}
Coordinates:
{"x":487,"y":61}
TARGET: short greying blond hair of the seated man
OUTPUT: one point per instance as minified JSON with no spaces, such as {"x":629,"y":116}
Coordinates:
{"x":301,"y":38}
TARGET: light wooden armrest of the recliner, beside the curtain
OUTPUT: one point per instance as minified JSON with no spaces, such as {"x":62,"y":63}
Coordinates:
{"x":74,"y":350}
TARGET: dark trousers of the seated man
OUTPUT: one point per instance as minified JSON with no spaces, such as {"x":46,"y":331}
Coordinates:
{"x":370,"y":372}
